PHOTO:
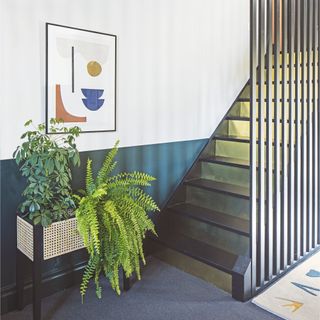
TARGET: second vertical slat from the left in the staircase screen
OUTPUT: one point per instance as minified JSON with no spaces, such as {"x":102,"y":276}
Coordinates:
{"x":261,"y":148}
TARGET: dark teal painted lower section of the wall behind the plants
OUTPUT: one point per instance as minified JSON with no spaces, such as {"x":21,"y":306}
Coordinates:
{"x":167,"y":162}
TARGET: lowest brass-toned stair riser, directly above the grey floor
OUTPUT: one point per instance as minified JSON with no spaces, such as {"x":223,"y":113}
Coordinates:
{"x":187,"y":264}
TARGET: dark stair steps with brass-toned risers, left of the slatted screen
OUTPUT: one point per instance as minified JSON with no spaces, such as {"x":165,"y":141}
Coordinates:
{"x":204,"y":230}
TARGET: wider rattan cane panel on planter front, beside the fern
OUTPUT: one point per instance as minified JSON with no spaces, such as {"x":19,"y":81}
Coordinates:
{"x":60,"y":238}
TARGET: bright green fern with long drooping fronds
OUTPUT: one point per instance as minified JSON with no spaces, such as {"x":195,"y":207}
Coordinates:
{"x":112,"y":220}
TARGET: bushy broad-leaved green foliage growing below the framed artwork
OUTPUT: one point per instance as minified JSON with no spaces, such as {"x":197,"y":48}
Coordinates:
{"x":45,"y":161}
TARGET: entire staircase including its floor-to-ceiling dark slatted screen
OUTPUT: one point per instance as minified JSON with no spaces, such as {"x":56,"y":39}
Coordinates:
{"x":249,"y":210}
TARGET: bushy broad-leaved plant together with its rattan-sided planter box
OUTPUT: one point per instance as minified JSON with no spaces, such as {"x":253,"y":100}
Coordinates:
{"x":45,"y":161}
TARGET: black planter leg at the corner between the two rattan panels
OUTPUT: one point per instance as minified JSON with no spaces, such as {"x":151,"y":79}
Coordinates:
{"x":37,"y":271}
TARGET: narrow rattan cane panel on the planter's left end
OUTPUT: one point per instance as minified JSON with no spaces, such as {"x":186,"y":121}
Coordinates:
{"x":25,"y":237}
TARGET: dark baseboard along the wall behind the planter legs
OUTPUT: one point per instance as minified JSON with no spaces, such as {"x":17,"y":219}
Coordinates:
{"x":52,"y":283}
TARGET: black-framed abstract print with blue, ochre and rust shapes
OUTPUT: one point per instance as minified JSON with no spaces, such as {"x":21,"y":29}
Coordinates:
{"x":81,"y":78}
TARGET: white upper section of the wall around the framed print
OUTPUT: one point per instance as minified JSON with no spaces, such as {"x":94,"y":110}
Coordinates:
{"x":181,"y":63}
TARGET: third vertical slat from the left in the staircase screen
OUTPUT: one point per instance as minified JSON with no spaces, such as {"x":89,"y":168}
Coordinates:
{"x":269,"y":148}
